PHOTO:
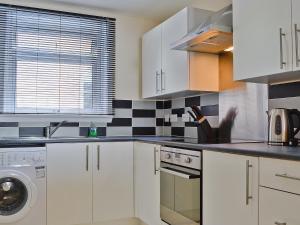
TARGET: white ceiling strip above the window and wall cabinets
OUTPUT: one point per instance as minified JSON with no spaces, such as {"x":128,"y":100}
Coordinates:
{"x":153,"y":9}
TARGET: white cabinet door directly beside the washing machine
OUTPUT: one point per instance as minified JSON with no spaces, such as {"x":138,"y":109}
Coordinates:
{"x":69,"y":184}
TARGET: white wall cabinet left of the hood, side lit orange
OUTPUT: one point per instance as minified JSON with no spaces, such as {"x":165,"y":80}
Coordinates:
{"x":172,"y":72}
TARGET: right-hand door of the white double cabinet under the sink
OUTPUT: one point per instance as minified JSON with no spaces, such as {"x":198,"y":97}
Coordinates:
{"x":112,"y":181}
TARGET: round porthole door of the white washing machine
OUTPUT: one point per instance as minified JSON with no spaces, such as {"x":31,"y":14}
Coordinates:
{"x":17,"y":196}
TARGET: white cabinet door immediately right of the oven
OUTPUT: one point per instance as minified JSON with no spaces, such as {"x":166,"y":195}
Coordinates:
{"x":230,"y":189}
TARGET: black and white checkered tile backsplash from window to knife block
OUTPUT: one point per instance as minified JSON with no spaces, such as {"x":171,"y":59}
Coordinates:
{"x":131,"y":118}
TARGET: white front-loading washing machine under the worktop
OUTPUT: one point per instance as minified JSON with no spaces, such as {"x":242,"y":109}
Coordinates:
{"x":23,"y":185}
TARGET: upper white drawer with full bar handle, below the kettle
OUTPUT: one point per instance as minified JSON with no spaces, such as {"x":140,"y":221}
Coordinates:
{"x":280,"y":174}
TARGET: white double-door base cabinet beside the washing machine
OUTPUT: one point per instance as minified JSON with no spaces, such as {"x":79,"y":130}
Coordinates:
{"x":89,"y":182}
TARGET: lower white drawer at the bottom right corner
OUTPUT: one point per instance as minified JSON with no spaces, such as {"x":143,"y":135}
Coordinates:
{"x":284,"y":208}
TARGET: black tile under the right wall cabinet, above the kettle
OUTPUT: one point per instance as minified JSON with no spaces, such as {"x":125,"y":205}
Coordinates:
{"x":284,"y":90}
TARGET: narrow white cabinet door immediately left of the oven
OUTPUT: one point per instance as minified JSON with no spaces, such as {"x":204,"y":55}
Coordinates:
{"x":147,"y":197}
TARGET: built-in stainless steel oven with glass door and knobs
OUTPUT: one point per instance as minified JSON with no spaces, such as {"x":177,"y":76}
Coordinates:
{"x":180,"y":186}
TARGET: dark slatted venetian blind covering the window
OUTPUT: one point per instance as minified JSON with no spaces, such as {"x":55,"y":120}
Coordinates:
{"x":56,"y":62}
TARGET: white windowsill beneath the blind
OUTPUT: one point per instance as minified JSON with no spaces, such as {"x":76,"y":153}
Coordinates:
{"x":54,"y":118}
